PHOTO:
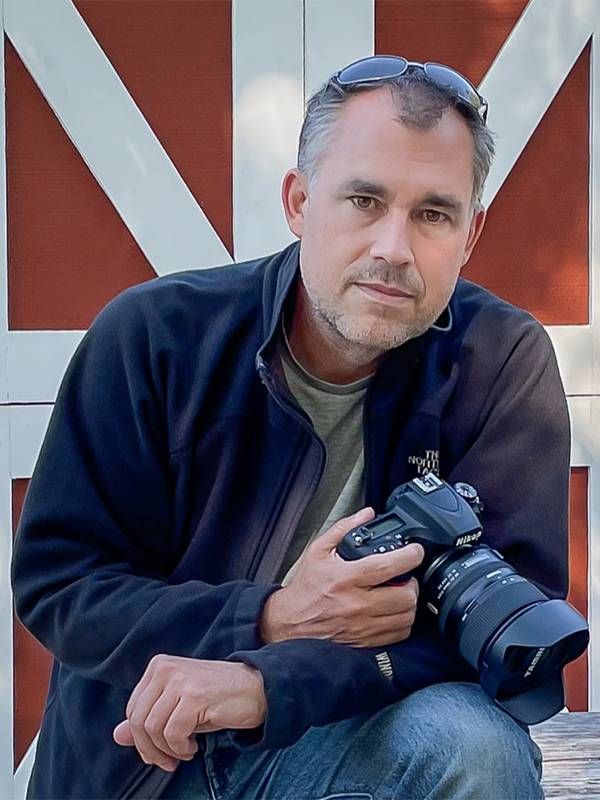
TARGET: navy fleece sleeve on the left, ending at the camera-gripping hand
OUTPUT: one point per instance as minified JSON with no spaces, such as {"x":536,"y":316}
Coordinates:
{"x":95,"y":538}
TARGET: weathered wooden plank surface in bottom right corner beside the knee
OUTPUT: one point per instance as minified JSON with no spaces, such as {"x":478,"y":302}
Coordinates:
{"x":571,"y":747}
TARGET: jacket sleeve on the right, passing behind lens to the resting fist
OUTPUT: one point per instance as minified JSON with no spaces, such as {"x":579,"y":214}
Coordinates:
{"x":519,"y":460}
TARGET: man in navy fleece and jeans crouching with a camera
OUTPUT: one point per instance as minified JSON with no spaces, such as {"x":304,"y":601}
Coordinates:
{"x":211,"y":425}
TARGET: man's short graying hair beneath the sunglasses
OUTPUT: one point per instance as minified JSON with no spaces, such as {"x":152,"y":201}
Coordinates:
{"x":421,"y":104}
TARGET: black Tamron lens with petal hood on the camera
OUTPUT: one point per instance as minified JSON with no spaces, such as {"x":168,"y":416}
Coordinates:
{"x":490,"y":613}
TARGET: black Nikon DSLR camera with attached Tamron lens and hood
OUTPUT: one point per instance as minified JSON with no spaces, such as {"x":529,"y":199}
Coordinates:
{"x":516,"y":638}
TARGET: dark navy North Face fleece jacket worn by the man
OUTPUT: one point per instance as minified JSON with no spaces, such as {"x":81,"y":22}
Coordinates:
{"x":174,"y":471}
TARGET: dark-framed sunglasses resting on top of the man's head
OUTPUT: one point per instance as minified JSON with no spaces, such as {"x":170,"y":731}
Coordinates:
{"x":379,"y":68}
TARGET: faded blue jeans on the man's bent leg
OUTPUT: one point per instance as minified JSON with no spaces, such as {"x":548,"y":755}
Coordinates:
{"x":445,"y":742}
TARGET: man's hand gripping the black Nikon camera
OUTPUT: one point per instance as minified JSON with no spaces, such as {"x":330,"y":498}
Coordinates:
{"x":329,"y":598}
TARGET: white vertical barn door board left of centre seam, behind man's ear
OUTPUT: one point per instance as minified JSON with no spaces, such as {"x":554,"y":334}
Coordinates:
{"x":267,"y":51}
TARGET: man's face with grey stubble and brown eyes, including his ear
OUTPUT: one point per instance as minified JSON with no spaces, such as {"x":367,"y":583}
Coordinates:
{"x":387,"y":224}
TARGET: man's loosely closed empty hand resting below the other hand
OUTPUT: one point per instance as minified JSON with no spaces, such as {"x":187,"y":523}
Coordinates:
{"x":178,"y":697}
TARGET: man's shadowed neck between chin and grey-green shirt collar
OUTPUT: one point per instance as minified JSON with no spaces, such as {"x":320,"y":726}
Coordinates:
{"x":322,"y":351}
